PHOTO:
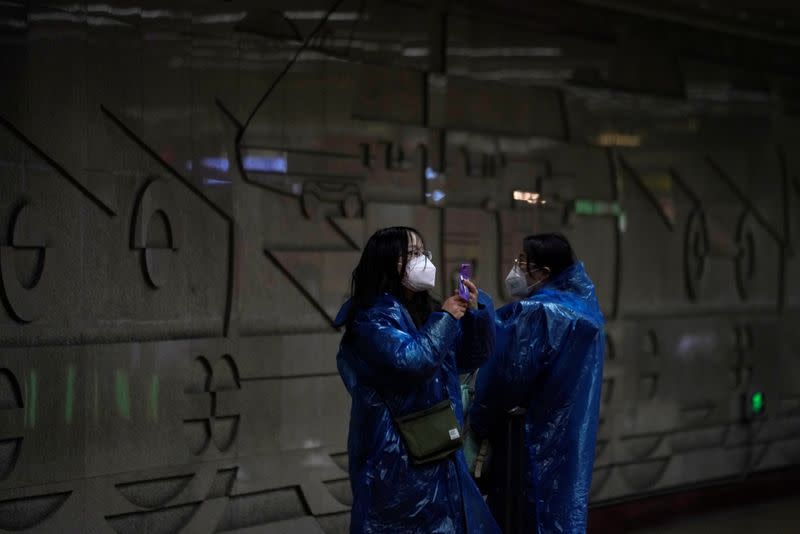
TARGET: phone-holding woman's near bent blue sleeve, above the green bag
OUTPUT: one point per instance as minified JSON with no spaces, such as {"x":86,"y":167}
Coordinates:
{"x":401,"y":355}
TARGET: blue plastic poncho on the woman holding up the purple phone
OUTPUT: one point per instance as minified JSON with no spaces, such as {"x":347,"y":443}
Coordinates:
{"x":384,"y":358}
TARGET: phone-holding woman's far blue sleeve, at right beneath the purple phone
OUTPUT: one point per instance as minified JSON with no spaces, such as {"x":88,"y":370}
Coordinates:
{"x":476,"y":341}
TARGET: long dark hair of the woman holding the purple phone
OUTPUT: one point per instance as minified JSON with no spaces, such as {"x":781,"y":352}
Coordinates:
{"x":377,"y":273}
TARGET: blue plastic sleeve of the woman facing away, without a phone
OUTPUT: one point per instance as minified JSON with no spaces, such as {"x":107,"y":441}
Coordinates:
{"x":505,"y":381}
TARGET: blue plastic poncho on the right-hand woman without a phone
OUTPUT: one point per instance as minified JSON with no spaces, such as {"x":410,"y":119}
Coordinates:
{"x":548,"y":360}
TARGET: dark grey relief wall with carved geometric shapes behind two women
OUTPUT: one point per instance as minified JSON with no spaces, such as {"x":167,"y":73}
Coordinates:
{"x":185,"y":188}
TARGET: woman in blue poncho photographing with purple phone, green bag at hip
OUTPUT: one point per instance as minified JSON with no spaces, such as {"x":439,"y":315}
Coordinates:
{"x":399,"y":358}
